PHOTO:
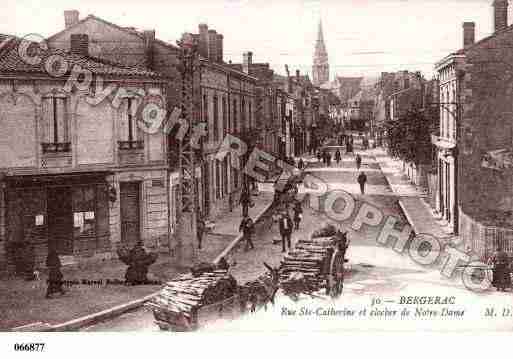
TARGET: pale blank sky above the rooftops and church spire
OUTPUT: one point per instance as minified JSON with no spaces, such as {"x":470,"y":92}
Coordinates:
{"x":363,"y":37}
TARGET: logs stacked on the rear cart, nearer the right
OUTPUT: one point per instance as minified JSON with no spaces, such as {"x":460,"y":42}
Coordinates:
{"x":304,"y":268}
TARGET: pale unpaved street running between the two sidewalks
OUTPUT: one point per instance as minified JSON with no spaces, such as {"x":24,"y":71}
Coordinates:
{"x":377,"y":271}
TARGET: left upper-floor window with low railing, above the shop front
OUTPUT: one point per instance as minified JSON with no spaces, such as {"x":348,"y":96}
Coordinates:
{"x":55,"y":119}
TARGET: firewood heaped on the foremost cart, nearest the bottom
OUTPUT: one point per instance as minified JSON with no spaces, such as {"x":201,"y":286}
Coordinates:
{"x":185,"y":294}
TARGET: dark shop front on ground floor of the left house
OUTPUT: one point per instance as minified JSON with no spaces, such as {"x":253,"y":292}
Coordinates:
{"x":67,"y":213}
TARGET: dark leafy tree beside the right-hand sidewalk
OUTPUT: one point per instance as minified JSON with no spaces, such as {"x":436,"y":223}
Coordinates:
{"x":409,"y":137}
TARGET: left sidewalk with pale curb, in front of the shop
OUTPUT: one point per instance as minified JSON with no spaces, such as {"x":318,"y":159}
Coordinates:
{"x":23,"y":303}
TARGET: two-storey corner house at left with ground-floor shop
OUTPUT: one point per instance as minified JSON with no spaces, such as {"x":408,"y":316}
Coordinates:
{"x":78,"y":172}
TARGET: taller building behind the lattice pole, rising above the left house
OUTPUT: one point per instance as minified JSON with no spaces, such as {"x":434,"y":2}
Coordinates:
{"x":225,"y":99}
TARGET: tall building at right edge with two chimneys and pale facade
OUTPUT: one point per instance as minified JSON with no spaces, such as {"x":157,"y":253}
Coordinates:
{"x":476,"y":192}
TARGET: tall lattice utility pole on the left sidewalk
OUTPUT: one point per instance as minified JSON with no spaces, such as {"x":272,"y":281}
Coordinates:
{"x":188,"y":196}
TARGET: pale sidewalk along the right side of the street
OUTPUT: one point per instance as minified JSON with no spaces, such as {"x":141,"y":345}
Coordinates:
{"x":411,"y":199}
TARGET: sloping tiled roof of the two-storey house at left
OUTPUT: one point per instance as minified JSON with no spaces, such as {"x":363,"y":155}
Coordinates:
{"x":11,"y":62}
